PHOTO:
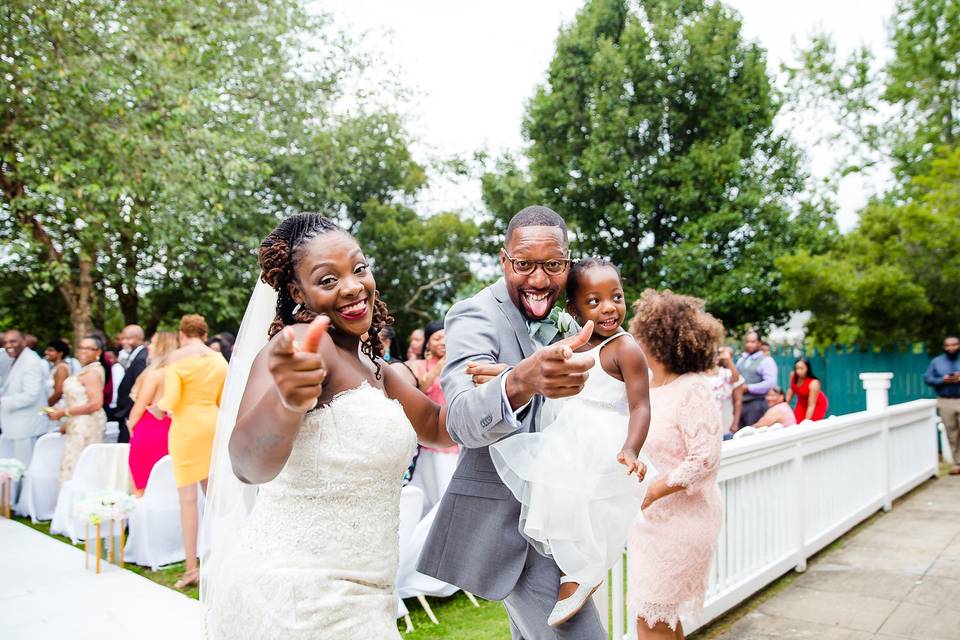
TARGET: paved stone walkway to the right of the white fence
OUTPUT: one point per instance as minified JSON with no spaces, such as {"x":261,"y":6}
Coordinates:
{"x":899,"y":577}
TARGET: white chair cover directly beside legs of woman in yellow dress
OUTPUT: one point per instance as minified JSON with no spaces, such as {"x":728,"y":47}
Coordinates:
{"x":156,"y":538}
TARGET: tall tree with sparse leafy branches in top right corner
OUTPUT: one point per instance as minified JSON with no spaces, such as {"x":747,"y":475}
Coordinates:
{"x":900,"y":112}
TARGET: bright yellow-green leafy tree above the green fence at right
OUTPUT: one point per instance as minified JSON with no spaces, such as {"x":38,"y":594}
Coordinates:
{"x":892,"y":279}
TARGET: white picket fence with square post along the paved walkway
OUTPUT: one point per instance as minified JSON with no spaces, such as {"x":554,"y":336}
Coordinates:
{"x":789,"y":493}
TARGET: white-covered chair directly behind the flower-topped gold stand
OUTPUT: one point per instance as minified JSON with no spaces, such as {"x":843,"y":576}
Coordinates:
{"x":101,"y":467}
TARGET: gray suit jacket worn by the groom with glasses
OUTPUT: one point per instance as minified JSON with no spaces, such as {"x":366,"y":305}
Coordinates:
{"x":474,"y":542}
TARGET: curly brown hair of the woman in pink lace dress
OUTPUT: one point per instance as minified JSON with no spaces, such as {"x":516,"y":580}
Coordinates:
{"x":676,"y":330}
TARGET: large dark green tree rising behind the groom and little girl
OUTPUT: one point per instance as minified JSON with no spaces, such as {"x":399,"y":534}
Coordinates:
{"x":654,"y":135}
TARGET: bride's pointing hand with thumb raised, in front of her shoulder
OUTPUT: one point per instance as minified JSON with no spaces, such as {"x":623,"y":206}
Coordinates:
{"x":297,"y":368}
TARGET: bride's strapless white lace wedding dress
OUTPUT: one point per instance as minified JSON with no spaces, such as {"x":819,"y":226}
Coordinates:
{"x":318,"y":556}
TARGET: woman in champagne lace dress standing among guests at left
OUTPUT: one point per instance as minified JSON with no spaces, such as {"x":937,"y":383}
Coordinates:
{"x":83,"y":419}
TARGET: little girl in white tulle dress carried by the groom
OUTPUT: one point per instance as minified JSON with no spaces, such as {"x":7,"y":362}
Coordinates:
{"x":576,"y":501}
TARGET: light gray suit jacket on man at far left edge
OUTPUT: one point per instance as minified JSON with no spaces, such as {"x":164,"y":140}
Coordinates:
{"x":22,"y":396}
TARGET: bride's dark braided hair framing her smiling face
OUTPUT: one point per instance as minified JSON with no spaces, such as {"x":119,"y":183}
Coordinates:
{"x":279,"y":255}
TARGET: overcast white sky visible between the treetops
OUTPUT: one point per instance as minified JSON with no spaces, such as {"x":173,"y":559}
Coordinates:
{"x":473,"y":66}
